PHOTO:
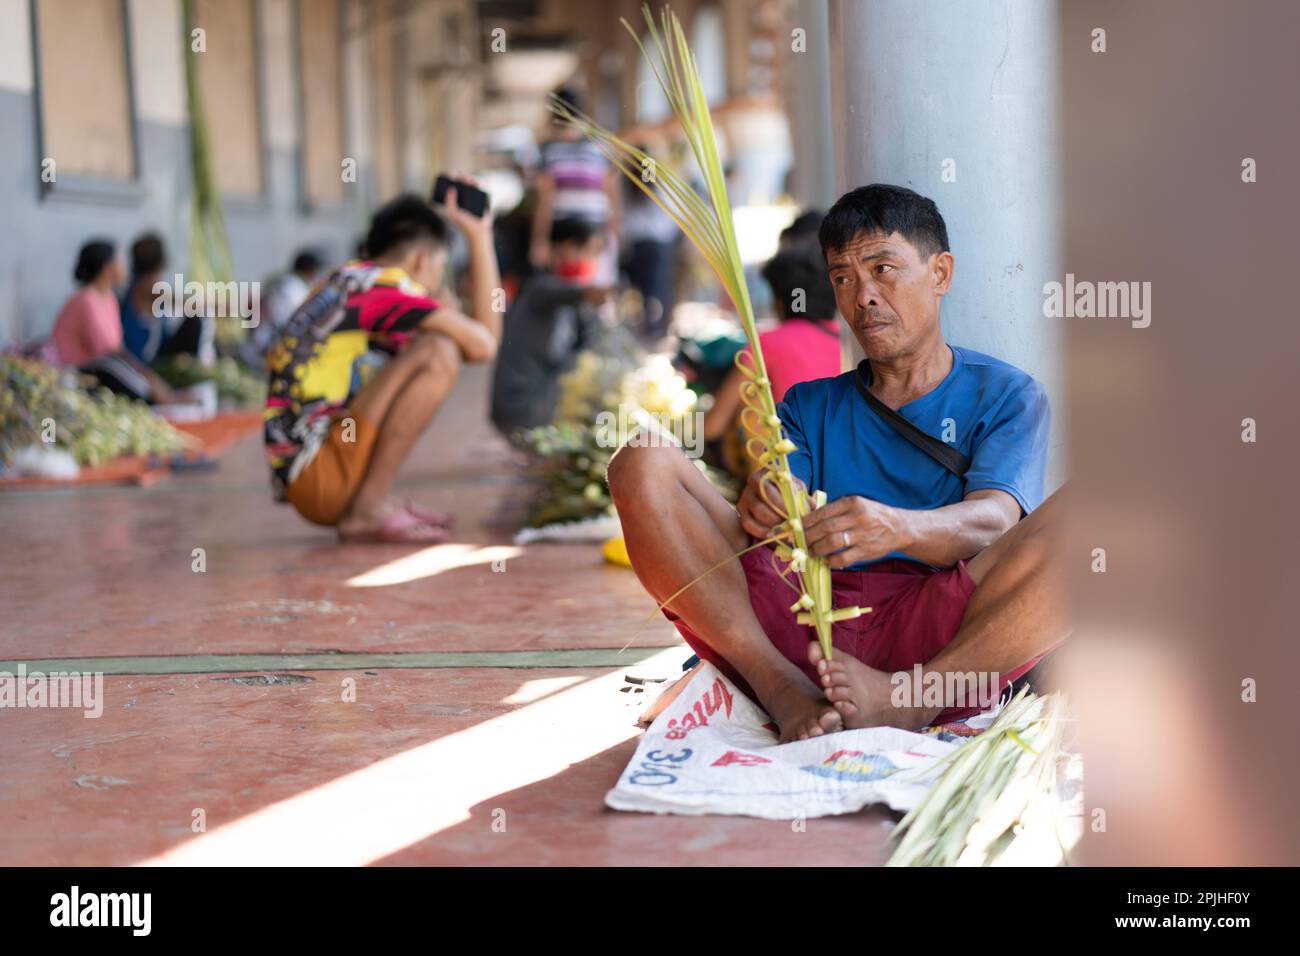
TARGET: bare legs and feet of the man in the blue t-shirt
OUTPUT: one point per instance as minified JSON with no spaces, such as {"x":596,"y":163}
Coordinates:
{"x":678,"y":526}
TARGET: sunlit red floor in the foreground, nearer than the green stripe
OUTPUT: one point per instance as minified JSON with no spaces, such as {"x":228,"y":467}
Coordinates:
{"x":125,"y":788}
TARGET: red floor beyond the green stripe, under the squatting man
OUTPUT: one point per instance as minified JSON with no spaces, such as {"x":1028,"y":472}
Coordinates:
{"x":109,"y":573}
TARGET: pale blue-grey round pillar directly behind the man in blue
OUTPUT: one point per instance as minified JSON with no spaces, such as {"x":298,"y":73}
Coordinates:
{"x":956,"y":100}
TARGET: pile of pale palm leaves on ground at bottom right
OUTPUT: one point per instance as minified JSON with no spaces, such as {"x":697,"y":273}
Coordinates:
{"x":996,"y":798}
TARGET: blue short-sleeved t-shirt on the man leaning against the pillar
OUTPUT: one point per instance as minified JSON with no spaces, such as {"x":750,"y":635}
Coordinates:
{"x":993,"y":413}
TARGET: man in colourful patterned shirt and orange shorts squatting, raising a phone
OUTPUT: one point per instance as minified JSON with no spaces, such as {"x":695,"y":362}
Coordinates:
{"x":336,"y":429}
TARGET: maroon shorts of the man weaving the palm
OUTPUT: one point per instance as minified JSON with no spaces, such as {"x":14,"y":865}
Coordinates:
{"x":915,"y":615}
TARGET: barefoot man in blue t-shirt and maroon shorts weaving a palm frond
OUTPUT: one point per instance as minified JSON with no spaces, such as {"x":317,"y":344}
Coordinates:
{"x":959,"y":572}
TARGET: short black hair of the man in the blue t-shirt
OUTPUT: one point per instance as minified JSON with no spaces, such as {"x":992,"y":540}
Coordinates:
{"x":885,"y":210}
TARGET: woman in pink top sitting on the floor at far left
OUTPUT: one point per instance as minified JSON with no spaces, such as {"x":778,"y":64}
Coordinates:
{"x":89,"y":330}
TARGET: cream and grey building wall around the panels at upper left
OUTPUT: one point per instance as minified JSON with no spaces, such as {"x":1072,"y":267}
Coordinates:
{"x":40,"y":245}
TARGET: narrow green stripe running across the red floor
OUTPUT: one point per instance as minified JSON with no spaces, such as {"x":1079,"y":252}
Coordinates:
{"x":244,"y":664}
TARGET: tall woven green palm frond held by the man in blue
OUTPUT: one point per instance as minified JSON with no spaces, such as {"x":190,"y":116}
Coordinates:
{"x":709,"y":226}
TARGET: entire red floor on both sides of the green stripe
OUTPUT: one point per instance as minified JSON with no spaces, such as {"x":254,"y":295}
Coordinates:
{"x":419,"y":769}
